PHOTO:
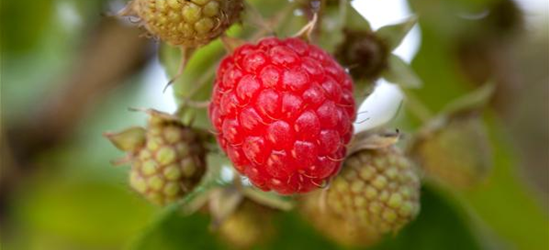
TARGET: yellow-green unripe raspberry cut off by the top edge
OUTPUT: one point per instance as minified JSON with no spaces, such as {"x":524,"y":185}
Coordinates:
{"x":187,"y":23}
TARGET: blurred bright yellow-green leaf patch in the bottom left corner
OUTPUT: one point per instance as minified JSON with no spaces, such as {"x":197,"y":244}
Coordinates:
{"x":77,"y":212}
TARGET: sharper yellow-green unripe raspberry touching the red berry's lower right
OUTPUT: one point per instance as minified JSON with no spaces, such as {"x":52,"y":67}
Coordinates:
{"x":378,"y":189}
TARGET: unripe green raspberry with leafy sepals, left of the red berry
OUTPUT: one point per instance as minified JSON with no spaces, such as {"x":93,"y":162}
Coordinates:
{"x":168,"y":162}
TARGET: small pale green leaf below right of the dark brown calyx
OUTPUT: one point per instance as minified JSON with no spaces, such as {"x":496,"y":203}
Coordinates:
{"x":401,"y":73}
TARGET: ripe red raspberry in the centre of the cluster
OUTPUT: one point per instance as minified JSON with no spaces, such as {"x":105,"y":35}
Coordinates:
{"x":283,"y":111}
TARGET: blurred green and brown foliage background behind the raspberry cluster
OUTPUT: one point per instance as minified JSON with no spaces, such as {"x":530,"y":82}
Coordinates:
{"x":69,"y":72}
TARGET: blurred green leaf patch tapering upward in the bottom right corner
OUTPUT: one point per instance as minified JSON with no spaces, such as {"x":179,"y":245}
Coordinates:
{"x":506,"y":204}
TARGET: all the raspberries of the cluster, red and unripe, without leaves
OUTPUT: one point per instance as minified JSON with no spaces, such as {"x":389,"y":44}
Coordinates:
{"x":282,"y":111}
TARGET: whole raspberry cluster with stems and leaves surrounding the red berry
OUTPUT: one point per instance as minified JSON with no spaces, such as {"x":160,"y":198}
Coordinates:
{"x":280,"y":95}
